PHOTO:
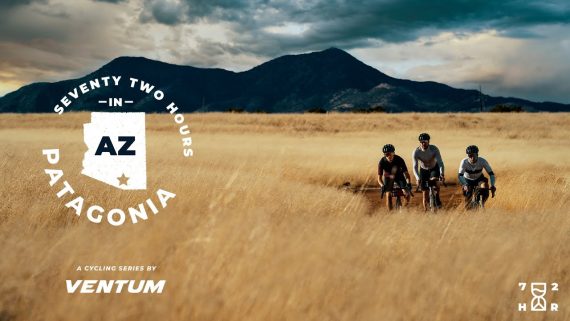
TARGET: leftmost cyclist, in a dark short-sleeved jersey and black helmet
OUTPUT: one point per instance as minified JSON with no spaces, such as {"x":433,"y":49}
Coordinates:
{"x":392,"y":170}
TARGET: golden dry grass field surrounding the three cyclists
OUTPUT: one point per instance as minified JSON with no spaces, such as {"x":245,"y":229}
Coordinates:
{"x":260,"y":230}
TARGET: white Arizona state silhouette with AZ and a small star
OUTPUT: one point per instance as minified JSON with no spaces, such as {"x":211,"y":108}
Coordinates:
{"x":116,"y":149}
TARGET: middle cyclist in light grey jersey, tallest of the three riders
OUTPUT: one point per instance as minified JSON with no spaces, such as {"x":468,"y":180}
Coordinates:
{"x":430,"y":168}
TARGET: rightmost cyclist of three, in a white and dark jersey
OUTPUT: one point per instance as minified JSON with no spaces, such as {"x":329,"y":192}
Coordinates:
{"x":471,"y":174}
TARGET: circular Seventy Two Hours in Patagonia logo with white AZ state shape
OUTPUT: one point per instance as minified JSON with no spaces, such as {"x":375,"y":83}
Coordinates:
{"x":116,"y":154}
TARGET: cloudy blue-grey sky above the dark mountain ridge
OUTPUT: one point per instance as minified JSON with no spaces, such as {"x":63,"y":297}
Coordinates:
{"x":510,"y":47}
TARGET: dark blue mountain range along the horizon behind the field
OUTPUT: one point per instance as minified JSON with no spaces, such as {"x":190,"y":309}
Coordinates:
{"x":331,"y":79}
